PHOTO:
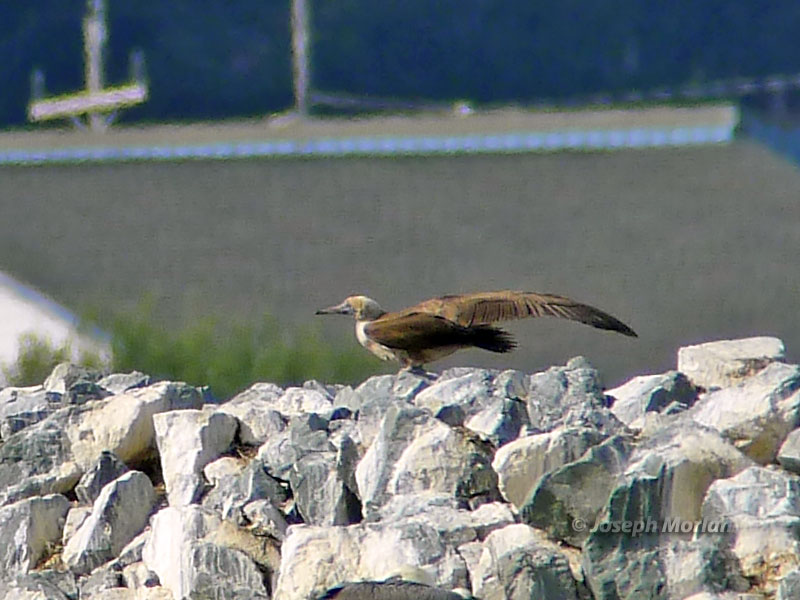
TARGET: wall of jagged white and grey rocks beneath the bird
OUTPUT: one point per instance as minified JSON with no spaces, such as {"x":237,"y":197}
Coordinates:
{"x":471,"y":483}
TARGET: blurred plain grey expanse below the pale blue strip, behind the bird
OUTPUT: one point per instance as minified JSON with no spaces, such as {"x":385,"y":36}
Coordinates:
{"x":684,"y":244}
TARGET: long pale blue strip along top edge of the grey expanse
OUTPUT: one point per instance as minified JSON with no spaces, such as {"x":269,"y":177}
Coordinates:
{"x":385,"y":146}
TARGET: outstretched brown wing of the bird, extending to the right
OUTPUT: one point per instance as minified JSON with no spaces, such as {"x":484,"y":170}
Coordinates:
{"x":489,"y":307}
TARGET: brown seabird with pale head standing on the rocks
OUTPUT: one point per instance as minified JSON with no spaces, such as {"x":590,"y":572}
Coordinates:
{"x":440,"y":326}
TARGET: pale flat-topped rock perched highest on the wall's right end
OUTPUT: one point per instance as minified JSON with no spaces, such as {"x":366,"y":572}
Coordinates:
{"x":726,"y":363}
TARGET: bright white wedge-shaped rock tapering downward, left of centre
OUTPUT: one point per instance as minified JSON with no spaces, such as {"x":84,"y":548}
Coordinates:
{"x":187,"y":441}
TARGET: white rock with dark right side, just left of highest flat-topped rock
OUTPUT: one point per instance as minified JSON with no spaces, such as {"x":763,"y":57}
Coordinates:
{"x":668,"y":392}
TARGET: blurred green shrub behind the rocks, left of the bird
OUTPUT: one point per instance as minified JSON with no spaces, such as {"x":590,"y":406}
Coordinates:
{"x":230,"y":357}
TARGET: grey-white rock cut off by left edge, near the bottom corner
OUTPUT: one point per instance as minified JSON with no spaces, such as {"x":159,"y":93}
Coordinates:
{"x":28,"y":529}
